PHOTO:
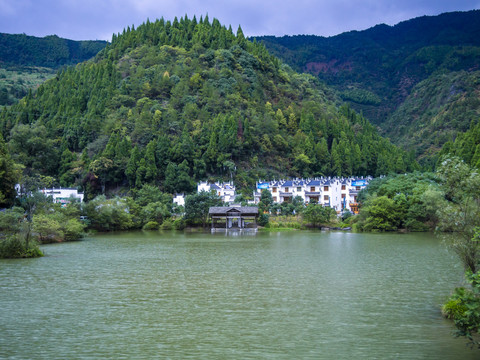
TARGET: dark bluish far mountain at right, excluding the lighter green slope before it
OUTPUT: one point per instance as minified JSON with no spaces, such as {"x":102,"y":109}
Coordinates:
{"x":375,"y":70}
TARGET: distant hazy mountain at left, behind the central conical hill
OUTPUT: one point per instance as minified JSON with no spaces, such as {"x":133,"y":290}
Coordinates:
{"x":27,"y":61}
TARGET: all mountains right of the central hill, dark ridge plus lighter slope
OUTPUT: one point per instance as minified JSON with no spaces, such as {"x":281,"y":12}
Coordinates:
{"x":379,"y":71}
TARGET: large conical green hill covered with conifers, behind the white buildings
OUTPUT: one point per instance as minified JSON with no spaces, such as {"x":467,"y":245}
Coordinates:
{"x":172,"y":102}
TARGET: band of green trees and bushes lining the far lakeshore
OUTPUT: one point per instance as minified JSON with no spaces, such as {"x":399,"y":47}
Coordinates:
{"x":404,"y":203}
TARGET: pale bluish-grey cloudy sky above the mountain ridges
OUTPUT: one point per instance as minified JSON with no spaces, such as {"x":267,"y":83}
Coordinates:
{"x":99,"y":19}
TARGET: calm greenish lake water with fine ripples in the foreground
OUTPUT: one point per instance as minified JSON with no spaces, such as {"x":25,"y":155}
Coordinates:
{"x":288,"y":295}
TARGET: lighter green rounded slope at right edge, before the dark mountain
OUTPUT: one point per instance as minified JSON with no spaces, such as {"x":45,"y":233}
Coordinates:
{"x":436,"y":110}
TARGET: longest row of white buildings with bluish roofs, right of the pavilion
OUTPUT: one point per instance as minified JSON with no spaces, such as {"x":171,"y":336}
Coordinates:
{"x":338,"y":193}
